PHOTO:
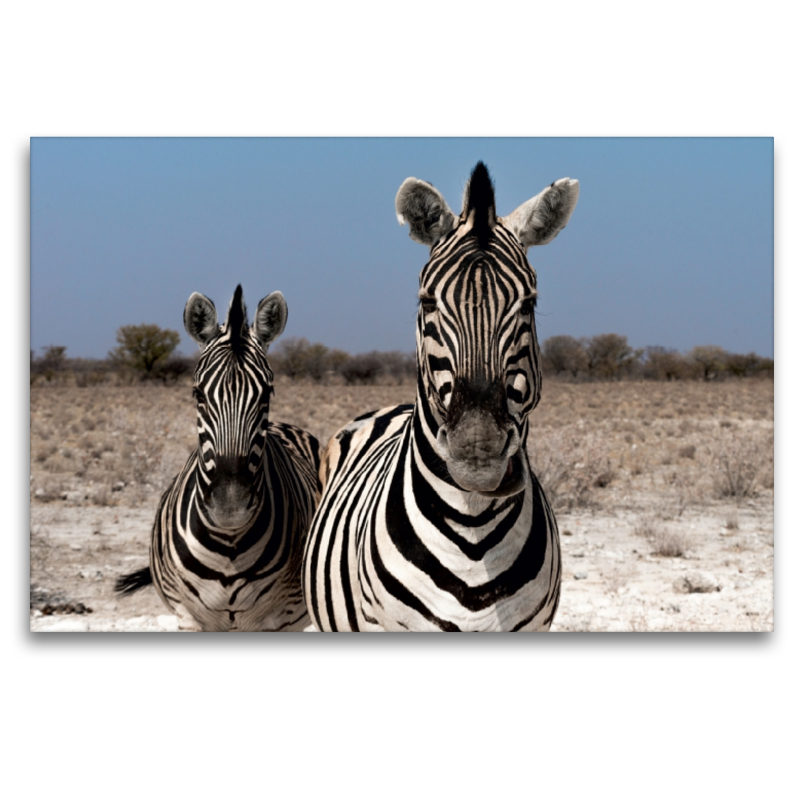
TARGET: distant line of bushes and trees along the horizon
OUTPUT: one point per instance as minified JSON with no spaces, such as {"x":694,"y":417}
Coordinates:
{"x":146,"y":352}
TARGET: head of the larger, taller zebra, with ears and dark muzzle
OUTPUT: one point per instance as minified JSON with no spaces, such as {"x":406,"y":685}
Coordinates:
{"x":477,"y":353}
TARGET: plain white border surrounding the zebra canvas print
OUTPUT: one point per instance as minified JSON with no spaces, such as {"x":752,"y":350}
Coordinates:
{"x":638,"y":714}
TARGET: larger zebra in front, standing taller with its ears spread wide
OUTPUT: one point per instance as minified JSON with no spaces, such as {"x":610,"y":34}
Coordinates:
{"x":430,"y":516}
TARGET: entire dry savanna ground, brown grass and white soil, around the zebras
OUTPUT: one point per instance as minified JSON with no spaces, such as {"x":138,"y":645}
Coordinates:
{"x":663,"y":493}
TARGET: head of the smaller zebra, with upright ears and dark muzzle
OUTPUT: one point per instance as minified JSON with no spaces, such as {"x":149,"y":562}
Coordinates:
{"x":232,"y":386}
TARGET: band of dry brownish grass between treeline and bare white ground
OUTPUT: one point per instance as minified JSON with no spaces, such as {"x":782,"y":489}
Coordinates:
{"x":591,"y":444}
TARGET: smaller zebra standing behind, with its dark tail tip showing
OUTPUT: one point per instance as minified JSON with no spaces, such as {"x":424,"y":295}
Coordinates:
{"x":227,"y":543}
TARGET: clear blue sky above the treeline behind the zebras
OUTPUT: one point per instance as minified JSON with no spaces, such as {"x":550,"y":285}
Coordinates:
{"x":671,"y":242}
